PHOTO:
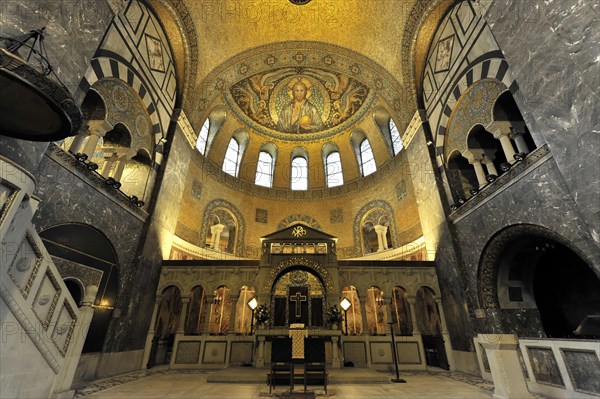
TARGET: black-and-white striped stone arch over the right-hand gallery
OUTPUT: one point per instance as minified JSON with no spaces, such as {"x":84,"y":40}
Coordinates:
{"x":485,"y":68}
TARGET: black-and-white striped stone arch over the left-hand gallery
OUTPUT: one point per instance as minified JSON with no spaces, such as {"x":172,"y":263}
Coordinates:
{"x":104,"y":67}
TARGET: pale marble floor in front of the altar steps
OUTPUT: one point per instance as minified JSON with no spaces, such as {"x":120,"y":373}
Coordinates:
{"x":192,"y":384}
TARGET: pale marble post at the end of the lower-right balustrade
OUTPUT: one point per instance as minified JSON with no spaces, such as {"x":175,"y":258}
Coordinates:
{"x":501,"y":351}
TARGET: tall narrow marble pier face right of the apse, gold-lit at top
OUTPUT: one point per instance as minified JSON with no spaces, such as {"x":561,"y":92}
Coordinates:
{"x":439,"y":242}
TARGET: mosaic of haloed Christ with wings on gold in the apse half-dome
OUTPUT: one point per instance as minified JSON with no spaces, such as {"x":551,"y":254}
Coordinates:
{"x":290,"y":100}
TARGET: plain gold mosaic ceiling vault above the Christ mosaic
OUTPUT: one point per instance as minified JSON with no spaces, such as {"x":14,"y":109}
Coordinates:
{"x":220,"y":33}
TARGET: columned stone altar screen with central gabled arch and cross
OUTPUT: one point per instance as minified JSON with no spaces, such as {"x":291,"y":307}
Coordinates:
{"x":204,"y":319}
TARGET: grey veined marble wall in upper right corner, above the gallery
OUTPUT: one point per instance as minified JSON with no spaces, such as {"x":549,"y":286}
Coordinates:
{"x":552,"y":49}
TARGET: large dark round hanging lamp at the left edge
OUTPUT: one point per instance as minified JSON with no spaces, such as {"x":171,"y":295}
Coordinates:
{"x":33,"y":106}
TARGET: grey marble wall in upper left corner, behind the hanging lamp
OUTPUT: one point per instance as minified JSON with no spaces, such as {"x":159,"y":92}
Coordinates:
{"x":74,"y":30}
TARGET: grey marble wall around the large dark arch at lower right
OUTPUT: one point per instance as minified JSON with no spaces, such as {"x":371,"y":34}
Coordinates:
{"x":541,"y":198}
